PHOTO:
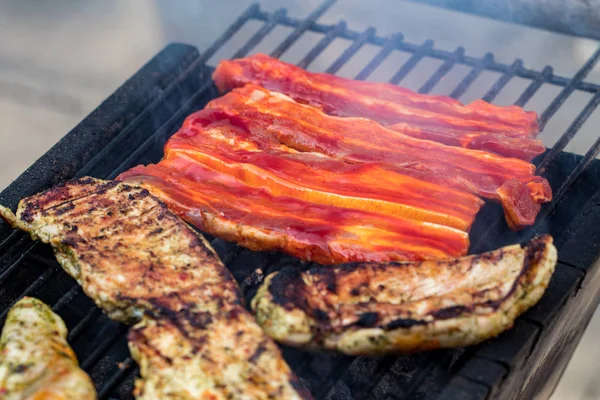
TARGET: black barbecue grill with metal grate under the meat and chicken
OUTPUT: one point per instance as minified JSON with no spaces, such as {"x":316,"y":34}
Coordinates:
{"x":523,"y":362}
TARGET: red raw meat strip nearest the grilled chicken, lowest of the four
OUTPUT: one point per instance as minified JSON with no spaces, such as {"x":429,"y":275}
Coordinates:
{"x":224,"y":206}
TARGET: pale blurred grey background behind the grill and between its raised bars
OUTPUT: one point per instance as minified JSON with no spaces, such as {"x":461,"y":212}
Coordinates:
{"x":60,"y":59}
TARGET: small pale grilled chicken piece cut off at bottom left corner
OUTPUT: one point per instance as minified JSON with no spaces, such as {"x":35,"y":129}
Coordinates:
{"x":36,"y":362}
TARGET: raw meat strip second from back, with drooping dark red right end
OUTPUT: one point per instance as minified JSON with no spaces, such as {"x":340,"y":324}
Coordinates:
{"x":509,"y":181}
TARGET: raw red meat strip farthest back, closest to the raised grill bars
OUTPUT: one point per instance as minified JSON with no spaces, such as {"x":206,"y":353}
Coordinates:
{"x":477,"y":125}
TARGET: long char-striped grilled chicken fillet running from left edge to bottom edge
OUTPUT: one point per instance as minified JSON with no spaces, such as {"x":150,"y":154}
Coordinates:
{"x":141,"y":263}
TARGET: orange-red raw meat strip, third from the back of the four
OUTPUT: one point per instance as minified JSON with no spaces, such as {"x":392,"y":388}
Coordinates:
{"x":233,"y":145}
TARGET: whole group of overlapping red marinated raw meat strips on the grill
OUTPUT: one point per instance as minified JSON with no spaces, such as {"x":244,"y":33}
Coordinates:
{"x":289,"y":161}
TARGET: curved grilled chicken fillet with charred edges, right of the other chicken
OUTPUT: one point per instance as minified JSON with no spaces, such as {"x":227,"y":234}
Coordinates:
{"x":368,"y":308}
